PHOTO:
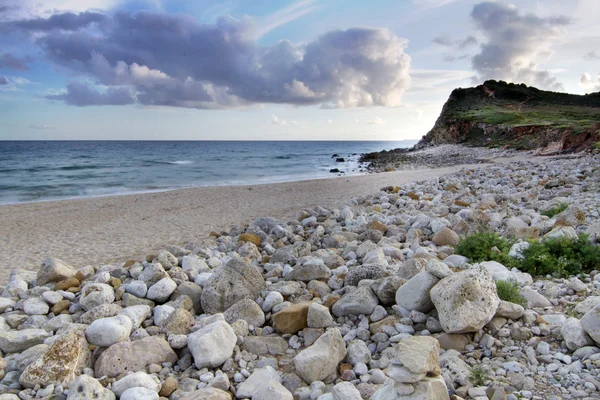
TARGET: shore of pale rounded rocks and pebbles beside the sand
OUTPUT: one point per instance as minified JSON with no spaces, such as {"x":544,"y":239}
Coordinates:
{"x":369,"y":301}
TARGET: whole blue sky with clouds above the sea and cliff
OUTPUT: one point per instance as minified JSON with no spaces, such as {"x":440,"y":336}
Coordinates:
{"x":275,"y":70}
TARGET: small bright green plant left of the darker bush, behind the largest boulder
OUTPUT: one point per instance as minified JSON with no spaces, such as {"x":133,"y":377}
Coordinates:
{"x":481,"y":247}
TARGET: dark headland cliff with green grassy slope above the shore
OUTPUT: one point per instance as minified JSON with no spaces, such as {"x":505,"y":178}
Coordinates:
{"x":507,"y":115}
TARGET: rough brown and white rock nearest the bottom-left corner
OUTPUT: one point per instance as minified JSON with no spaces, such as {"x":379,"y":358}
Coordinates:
{"x":62,"y":362}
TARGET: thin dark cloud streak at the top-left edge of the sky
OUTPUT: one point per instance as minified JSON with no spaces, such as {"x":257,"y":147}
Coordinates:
{"x":65,"y":21}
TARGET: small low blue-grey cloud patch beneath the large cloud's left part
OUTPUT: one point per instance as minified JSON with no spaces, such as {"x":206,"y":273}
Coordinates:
{"x":81,"y":94}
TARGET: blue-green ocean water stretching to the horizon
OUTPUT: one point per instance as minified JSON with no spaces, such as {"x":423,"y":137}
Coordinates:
{"x":53,"y":170}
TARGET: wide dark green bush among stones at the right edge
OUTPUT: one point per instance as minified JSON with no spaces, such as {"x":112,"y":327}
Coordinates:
{"x":560,"y":256}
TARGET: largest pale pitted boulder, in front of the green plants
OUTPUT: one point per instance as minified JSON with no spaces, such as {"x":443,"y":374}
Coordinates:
{"x":465,"y":301}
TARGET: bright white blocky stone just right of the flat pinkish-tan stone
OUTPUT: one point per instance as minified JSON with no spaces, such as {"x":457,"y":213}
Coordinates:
{"x":212,"y":345}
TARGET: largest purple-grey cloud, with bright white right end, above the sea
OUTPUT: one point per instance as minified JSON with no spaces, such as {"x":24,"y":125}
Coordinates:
{"x":174,"y":60}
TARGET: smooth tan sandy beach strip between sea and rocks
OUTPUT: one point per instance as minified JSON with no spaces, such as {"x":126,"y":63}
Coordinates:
{"x":103,"y":230}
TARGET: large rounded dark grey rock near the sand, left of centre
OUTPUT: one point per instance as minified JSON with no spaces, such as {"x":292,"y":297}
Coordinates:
{"x":236,"y":281}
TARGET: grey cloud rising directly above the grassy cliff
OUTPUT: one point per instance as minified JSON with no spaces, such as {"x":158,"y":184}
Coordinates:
{"x":515,"y":44}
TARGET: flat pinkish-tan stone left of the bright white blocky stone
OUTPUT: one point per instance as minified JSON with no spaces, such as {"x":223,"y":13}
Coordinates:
{"x":134,"y":356}
